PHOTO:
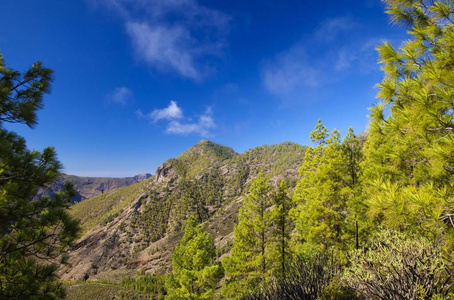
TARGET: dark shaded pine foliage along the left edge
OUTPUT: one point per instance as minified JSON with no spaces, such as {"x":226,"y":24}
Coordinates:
{"x":33,"y":233}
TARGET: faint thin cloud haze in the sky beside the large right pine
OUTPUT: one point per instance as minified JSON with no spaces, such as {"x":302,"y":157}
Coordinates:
{"x":326,"y":56}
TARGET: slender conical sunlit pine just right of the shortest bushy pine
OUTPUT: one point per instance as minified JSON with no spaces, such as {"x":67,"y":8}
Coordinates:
{"x":248,"y":264}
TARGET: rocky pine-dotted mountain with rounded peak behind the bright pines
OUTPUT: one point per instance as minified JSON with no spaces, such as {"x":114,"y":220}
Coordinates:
{"x":135,"y":228}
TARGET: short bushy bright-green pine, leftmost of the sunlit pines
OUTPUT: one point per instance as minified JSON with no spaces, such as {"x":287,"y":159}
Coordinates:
{"x":195,"y":272}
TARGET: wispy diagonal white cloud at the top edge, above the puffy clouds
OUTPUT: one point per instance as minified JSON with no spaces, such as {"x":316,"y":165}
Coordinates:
{"x":178,"y":36}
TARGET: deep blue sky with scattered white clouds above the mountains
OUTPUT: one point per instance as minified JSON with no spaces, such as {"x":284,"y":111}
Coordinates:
{"x":140,"y":81}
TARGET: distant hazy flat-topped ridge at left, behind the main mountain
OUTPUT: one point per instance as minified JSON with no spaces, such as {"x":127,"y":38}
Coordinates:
{"x":88,"y":187}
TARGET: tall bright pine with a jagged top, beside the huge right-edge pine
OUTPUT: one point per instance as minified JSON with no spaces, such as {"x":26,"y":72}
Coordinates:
{"x":320,"y":205}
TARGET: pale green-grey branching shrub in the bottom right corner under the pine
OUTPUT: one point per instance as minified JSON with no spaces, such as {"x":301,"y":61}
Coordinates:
{"x":400,"y":266}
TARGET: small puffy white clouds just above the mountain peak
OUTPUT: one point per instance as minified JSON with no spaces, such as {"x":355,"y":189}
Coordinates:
{"x":176,"y":123}
